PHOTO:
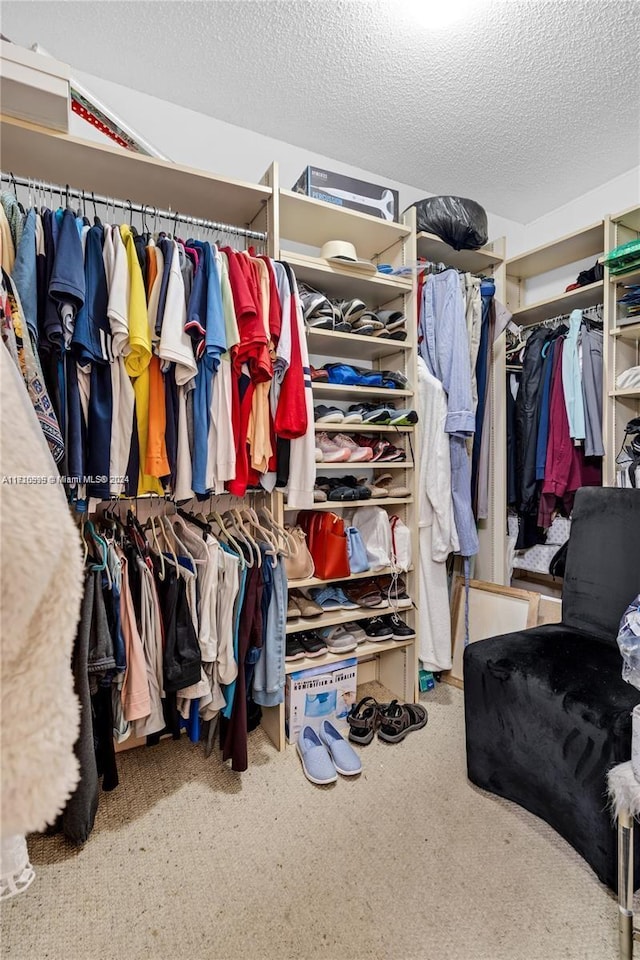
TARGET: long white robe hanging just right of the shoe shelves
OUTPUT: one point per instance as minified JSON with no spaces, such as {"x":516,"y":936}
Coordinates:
{"x":437,"y":533}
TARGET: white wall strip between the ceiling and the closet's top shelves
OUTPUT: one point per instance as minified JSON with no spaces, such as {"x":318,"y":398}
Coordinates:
{"x":200,"y":141}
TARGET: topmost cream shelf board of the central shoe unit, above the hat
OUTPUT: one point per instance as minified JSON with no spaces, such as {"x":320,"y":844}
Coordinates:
{"x":314,"y":222}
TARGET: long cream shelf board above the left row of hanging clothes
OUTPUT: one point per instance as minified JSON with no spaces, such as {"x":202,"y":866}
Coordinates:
{"x":33,"y":151}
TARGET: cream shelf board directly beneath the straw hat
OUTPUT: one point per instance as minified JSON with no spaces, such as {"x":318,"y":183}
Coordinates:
{"x":345,"y":283}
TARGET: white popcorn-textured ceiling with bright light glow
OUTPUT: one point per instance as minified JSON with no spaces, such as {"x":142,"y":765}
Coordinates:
{"x":522,"y":105}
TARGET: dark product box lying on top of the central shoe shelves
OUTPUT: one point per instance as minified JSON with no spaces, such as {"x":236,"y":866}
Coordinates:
{"x":371,"y":198}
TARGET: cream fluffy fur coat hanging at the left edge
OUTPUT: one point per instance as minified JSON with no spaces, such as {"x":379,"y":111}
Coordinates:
{"x":40,"y":592}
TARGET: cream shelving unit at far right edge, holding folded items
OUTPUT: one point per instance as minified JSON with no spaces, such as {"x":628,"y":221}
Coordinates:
{"x":622,"y":343}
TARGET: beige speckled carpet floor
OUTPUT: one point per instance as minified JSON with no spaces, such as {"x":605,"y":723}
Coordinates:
{"x":189,"y":861}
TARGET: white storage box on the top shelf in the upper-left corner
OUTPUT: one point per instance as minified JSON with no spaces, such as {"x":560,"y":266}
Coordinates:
{"x":34,"y":87}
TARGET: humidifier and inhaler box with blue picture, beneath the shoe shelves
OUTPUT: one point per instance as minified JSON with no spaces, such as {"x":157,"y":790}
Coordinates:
{"x":320,"y":693}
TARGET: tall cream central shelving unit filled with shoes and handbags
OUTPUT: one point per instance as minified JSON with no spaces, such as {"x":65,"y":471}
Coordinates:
{"x":308,"y":222}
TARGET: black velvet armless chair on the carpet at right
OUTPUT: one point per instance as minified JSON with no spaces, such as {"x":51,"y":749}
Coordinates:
{"x":547,"y":712}
